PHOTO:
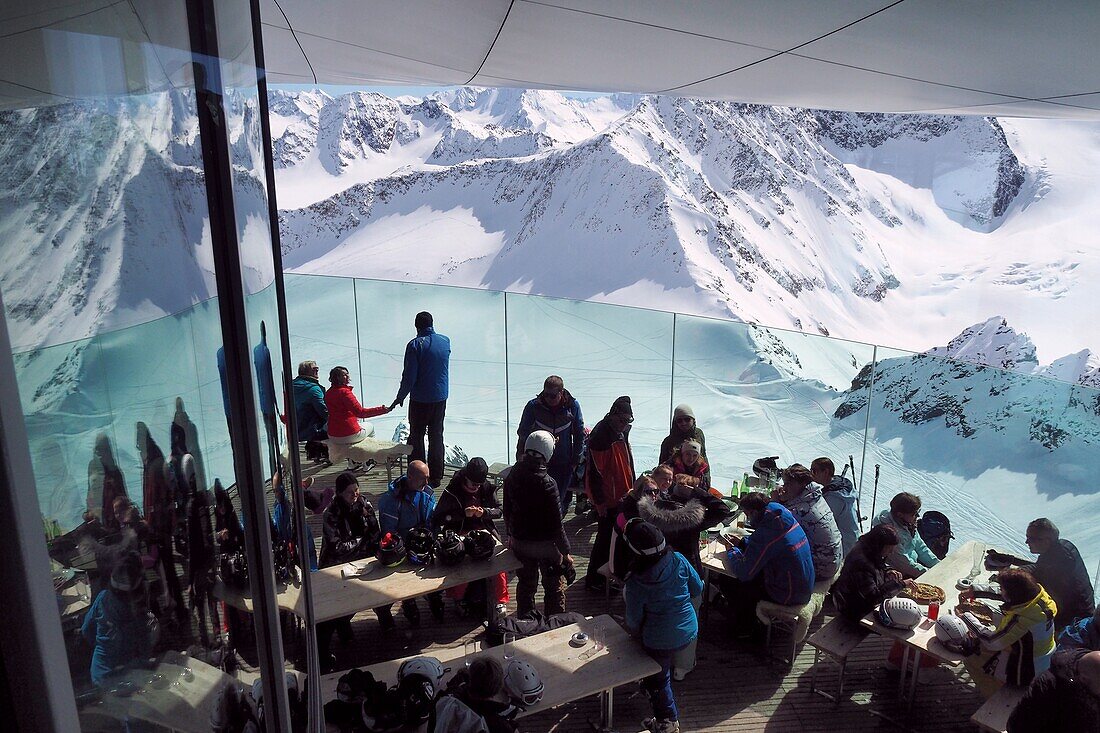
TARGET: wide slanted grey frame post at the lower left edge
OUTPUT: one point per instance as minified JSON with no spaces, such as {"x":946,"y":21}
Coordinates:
{"x":36,"y":676}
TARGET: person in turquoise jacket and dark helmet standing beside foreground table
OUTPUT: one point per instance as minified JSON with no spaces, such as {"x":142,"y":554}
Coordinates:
{"x":658,"y":596}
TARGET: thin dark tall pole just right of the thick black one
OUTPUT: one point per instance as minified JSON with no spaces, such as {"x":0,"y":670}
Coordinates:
{"x":294,"y":485}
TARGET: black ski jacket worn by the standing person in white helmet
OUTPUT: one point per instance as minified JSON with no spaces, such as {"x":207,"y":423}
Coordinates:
{"x":532,"y":509}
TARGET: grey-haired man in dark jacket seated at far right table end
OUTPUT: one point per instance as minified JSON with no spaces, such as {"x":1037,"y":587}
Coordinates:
{"x":1060,"y":570}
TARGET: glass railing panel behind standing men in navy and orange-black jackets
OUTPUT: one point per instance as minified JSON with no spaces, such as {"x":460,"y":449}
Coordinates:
{"x":601,"y":352}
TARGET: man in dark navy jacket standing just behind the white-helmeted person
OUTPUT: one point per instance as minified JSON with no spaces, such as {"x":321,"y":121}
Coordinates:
{"x":557,"y":412}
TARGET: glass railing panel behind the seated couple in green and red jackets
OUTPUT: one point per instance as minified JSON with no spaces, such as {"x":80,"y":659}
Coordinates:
{"x":322,"y":316}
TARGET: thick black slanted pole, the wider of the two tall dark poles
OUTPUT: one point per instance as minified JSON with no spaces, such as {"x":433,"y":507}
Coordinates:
{"x":245,"y":430}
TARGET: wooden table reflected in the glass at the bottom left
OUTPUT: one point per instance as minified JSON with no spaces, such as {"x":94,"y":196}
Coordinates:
{"x":177,"y":702}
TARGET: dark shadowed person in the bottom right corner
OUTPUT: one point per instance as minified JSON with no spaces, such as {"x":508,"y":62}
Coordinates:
{"x":1064,"y":699}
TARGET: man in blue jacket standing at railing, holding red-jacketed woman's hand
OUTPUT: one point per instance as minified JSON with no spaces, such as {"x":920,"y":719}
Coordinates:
{"x":426,"y":382}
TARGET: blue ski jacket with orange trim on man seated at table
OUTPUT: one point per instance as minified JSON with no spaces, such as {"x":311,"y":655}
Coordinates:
{"x":780,"y":550}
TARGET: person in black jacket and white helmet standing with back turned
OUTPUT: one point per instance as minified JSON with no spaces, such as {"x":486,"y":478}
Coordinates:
{"x":533,"y":519}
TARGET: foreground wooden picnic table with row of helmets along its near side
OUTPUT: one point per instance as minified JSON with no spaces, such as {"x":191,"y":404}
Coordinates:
{"x":569,"y":673}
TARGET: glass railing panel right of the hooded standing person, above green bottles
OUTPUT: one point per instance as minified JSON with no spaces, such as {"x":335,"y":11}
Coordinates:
{"x":760,"y":392}
